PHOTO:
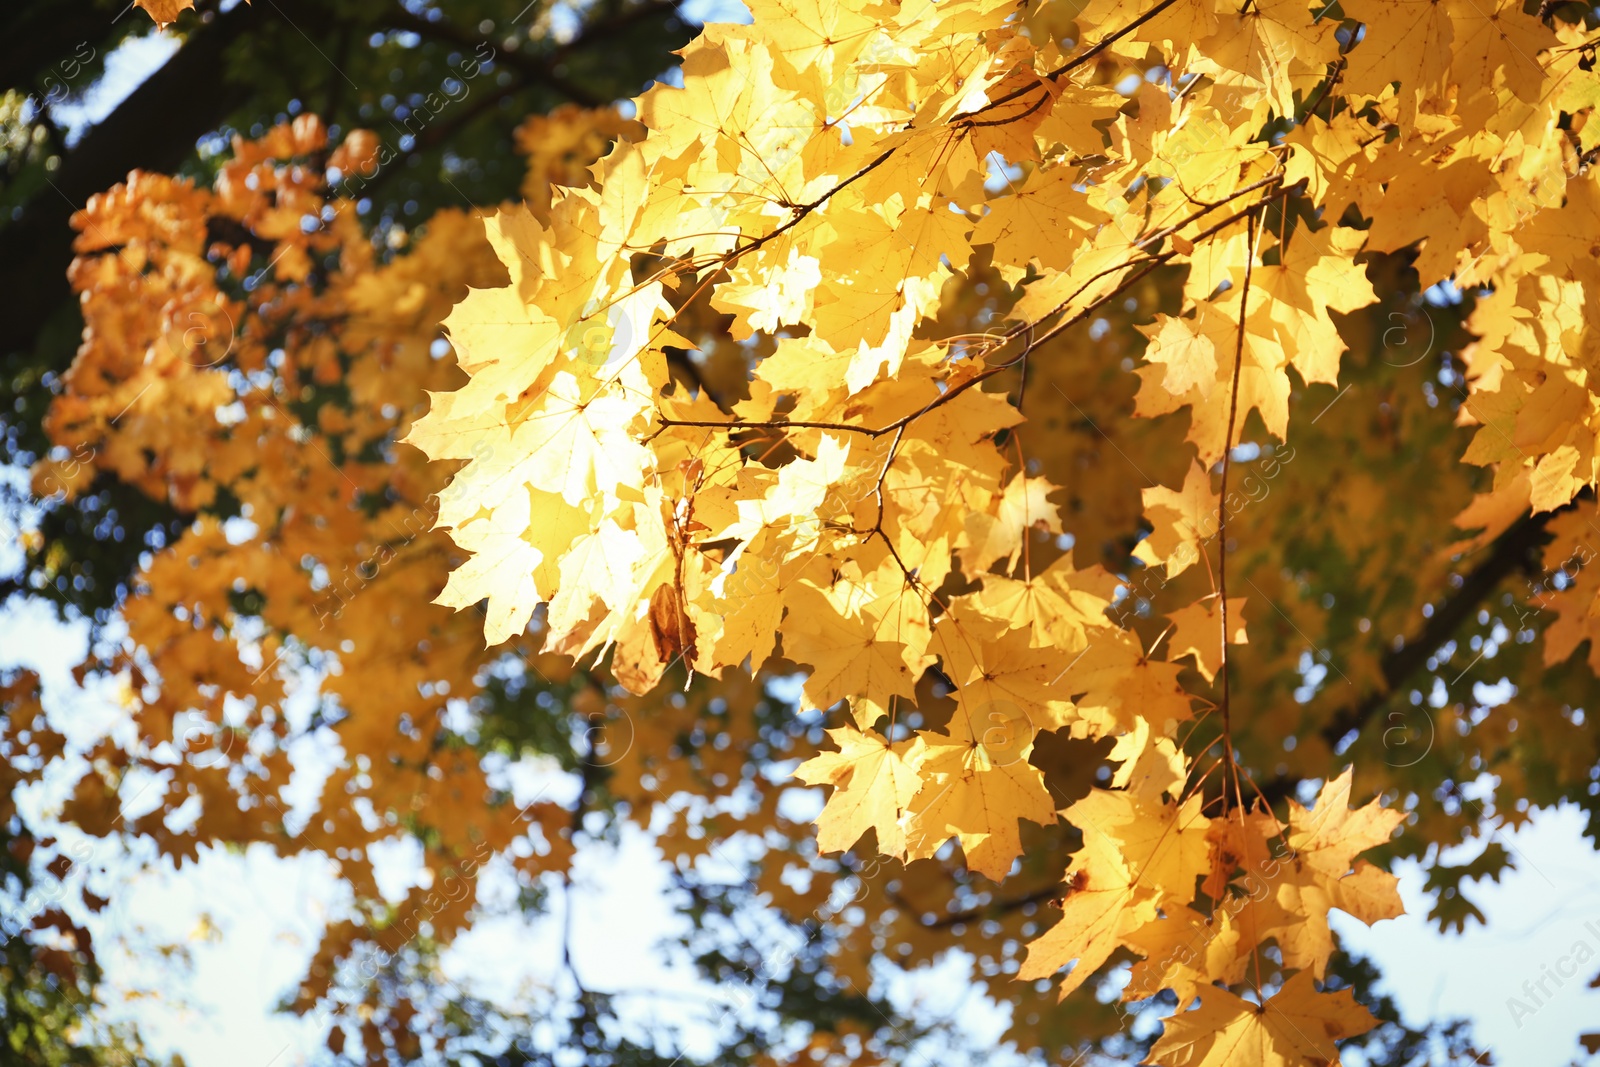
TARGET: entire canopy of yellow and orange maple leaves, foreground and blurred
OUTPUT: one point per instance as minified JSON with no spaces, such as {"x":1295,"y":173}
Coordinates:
{"x":823,"y":370}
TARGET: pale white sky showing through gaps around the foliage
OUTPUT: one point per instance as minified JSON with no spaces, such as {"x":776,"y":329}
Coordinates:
{"x":249,"y":922}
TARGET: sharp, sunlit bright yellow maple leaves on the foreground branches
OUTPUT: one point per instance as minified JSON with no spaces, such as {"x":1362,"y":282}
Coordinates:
{"x":822,"y":177}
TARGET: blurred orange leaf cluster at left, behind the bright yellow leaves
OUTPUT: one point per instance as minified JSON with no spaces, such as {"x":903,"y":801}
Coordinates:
{"x":250,"y":361}
